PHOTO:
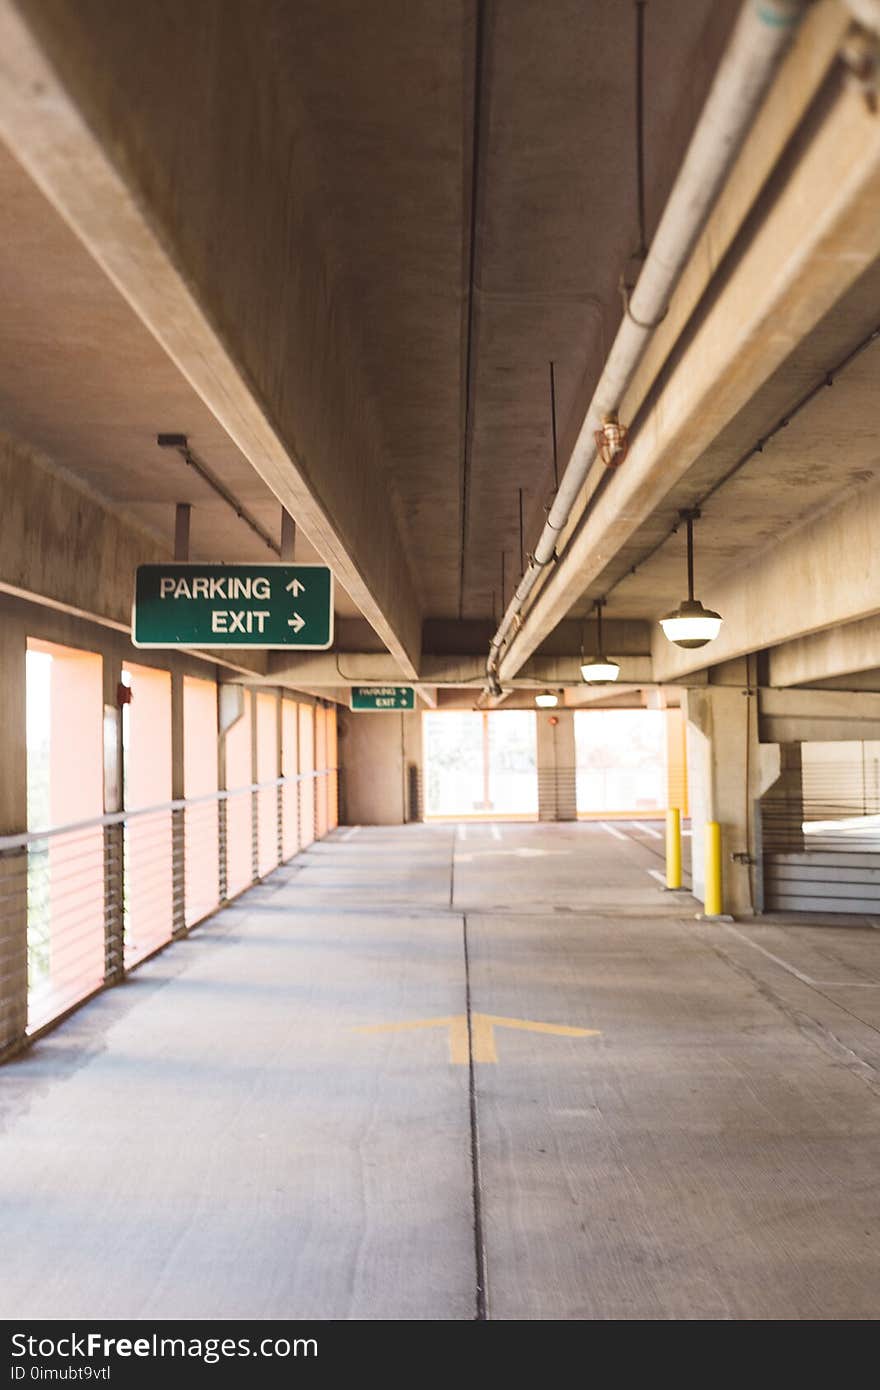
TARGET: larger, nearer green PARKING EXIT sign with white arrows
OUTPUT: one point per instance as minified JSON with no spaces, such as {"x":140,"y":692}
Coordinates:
{"x":234,"y":605}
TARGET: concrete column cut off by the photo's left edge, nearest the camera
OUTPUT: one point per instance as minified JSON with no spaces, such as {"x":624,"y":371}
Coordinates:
{"x":13,"y":822}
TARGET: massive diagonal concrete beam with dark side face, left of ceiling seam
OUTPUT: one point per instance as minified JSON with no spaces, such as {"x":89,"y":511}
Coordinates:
{"x":229,"y":322}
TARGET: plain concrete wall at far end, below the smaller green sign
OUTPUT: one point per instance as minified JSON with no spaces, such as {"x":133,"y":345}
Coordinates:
{"x":375,"y":755}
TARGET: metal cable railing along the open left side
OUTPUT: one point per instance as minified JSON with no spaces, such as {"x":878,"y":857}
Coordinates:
{"x":81,"y":904}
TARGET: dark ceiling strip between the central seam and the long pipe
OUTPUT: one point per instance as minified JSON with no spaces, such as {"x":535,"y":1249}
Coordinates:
{"x":557,"y":226}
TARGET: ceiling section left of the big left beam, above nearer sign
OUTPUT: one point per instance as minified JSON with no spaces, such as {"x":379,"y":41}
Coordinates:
{"x":87,"y":384}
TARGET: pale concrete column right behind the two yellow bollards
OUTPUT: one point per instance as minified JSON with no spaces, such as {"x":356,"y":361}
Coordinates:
{"x":724,"y":780}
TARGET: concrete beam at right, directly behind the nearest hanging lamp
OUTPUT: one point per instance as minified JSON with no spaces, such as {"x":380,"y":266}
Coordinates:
{"x":824,"y":576}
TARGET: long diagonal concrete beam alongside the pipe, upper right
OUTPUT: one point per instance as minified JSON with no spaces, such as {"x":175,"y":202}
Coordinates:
{"x":818,"y":237}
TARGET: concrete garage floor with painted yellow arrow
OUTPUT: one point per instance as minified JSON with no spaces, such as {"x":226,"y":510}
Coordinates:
{"x":237,"y":1134}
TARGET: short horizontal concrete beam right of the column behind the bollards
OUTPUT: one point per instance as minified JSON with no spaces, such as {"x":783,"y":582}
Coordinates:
{"x":796,"y":717}
